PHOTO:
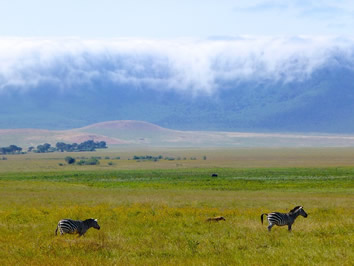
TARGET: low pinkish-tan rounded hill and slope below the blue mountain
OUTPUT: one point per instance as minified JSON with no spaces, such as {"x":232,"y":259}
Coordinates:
{"x":137,"y":133}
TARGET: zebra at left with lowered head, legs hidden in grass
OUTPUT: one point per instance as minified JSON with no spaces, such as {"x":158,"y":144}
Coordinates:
{"x":68,"y":226}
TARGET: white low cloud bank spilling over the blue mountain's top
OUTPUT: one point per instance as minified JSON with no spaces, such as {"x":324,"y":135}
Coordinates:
{"x":196,"y":66}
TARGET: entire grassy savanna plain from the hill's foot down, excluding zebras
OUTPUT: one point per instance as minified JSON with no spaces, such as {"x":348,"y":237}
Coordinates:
{"x":154,"y":212}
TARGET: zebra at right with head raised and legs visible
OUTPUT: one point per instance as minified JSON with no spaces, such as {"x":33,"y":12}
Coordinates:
{"x":280,"y":219}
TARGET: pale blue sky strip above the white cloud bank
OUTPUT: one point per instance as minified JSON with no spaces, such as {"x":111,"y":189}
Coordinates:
{"x":174,"y":18}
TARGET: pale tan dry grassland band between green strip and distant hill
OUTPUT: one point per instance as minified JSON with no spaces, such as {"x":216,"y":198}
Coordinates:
{"x":216,"y":157}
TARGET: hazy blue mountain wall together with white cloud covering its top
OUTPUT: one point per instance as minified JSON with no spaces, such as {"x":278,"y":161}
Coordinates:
{"x":255,"y":85}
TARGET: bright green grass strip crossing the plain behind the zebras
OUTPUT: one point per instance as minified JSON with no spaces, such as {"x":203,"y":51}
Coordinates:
{"x":292,"y":179}
